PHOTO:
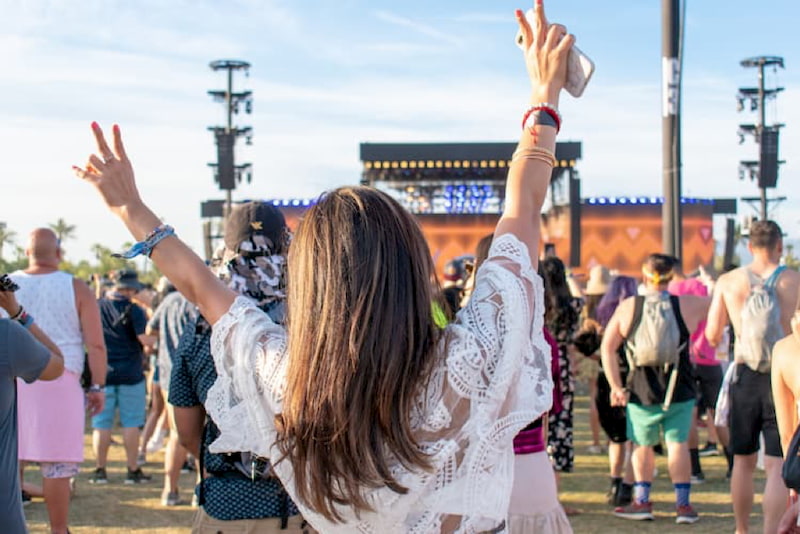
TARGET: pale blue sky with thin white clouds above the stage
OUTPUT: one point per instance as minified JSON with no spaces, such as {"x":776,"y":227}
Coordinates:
{"x":329,"y":75}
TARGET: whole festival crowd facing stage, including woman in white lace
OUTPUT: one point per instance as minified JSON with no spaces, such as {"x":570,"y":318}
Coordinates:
{"x":324,"y":381}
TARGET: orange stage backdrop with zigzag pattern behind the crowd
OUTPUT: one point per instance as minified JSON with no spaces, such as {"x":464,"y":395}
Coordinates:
{"x":617,"y":236}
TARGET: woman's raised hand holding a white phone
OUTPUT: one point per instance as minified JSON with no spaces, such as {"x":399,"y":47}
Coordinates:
{"x":546,"y":48}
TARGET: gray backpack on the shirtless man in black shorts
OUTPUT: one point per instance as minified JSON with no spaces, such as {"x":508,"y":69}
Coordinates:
{"x":760,"y":323}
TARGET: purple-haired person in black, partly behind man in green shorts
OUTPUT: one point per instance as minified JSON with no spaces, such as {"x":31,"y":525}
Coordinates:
{"x":612,"y":418}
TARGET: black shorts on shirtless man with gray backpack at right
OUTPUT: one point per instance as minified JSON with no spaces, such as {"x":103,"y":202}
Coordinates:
{"x":753,"y":412}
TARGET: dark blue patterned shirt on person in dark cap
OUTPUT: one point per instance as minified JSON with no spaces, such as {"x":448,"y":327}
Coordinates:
{"x":226,"y":494}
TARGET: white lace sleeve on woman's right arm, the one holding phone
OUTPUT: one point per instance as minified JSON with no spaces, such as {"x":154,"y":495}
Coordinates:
{"x":499,"y":356}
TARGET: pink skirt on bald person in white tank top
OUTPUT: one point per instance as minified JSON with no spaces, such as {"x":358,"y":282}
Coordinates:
{"x":51,"y":418}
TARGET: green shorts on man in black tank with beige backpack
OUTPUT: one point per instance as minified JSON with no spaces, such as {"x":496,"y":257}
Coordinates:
{"x":644,"y":423}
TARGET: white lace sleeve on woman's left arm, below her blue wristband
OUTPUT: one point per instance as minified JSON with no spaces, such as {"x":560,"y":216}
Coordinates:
{"x":249,"y":352}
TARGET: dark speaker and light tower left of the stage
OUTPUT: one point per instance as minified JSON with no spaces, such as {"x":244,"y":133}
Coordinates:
{"x":226,"y":172}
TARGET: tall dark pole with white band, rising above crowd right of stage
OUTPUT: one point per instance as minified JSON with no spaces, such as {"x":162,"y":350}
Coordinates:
{"x":671,"y":127}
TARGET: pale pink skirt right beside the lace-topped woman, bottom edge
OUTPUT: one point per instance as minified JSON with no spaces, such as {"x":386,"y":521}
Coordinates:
{"x":534,"y":506}
